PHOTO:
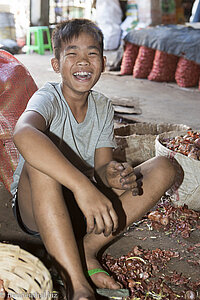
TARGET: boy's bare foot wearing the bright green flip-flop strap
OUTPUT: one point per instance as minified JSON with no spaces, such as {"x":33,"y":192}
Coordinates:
{"x":101,"y":279}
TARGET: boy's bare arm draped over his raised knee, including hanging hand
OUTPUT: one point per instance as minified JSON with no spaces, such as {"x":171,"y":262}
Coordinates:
{"x":41,"y":153}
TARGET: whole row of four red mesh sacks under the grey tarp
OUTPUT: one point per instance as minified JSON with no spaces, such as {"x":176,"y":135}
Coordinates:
{"x":156,"y":65}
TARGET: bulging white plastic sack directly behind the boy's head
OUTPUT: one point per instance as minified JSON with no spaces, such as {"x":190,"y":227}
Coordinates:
{"x":109,"y":18}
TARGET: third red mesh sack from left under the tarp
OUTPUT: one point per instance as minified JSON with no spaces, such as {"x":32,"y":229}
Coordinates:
{"x":164,"y":67}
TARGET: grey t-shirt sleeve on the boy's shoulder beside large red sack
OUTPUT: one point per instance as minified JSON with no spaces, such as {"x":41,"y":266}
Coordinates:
{"x":41,"y":102}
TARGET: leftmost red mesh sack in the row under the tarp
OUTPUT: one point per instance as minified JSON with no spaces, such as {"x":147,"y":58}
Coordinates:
{"x":128,"y":59}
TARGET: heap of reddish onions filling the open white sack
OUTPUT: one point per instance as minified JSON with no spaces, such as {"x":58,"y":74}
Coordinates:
{"x":188,"y":144}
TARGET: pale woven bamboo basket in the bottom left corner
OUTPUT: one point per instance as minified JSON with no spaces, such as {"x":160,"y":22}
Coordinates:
{"x":24,"y":274}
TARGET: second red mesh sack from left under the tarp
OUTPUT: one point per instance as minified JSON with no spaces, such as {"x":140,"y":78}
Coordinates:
{"x":144,"y":62}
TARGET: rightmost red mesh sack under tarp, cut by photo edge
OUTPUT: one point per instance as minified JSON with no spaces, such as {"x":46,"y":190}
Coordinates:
{"x":187,"y":73}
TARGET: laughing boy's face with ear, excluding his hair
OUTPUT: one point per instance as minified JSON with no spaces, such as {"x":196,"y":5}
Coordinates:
{"x":80,"y":64}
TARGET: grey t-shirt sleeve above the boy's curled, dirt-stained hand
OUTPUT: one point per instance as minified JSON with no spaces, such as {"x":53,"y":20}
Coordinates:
{"x":106,"y":138}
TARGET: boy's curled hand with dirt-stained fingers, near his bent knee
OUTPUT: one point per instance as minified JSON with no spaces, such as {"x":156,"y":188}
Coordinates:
{"x":121,"y":176}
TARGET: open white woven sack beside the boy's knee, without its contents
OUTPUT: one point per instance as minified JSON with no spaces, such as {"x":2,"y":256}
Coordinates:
{"x":188,"y":192}
